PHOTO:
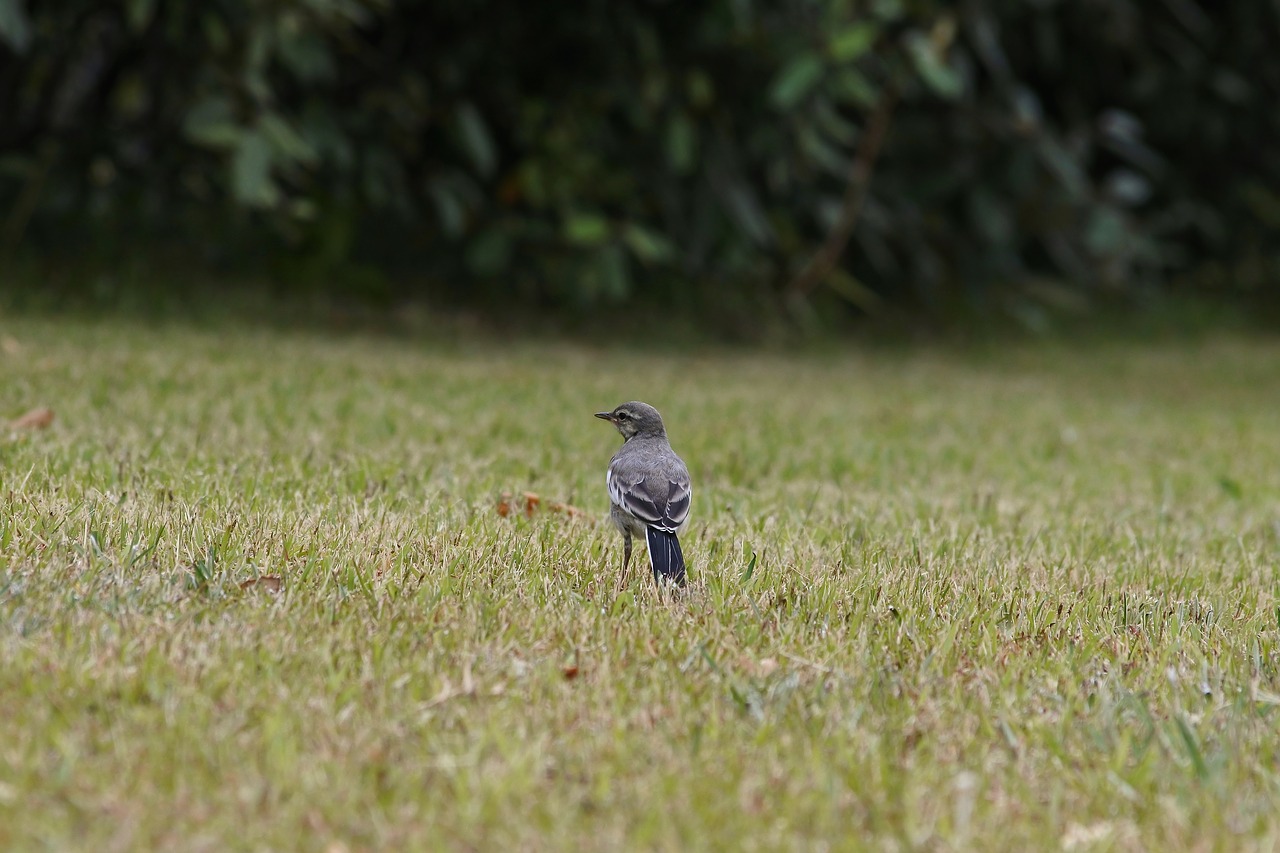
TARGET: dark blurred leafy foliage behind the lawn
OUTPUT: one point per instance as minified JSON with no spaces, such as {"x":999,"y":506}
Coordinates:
{"x":1041,"y":154}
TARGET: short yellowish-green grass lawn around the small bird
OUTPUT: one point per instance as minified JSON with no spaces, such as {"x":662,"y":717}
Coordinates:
{"x":1016,"y":600}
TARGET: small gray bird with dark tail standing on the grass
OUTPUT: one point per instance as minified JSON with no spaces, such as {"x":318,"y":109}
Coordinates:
{"x":650,"y":490}
